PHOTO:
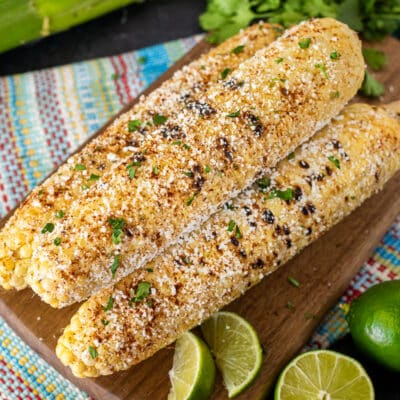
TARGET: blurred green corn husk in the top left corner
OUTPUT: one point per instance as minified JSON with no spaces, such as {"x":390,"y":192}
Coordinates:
{"x":24,"y":20}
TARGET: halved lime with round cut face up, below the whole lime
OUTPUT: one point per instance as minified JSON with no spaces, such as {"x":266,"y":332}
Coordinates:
{"x":324,"y":375}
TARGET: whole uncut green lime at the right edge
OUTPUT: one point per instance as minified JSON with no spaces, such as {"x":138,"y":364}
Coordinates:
{"x":374,"y":321}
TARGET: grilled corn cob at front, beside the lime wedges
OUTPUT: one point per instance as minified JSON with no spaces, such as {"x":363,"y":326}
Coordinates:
{"x":326,"y":179}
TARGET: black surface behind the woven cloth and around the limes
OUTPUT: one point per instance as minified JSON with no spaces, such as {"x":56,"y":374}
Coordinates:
{"x":133,"y":27}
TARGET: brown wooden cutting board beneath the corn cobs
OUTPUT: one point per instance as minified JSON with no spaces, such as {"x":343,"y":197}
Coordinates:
{"x":324,"y":269}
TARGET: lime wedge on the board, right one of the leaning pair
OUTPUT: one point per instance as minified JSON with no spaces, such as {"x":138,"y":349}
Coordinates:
{"x":236,"y":348}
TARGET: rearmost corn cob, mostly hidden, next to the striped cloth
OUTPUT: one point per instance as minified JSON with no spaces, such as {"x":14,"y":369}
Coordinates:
{"x":42,"y":206}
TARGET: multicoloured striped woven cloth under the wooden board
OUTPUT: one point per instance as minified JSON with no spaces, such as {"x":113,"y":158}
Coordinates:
{"x":44,"y":116}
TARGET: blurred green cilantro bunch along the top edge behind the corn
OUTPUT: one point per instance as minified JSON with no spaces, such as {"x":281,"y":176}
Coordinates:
{"x":373,"y":18}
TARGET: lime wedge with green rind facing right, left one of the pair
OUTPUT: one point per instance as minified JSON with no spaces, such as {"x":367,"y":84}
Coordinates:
{"x":193,"y":371}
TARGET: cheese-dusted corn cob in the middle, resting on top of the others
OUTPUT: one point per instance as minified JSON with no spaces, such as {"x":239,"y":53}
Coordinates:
{"x":104,"y":238}
